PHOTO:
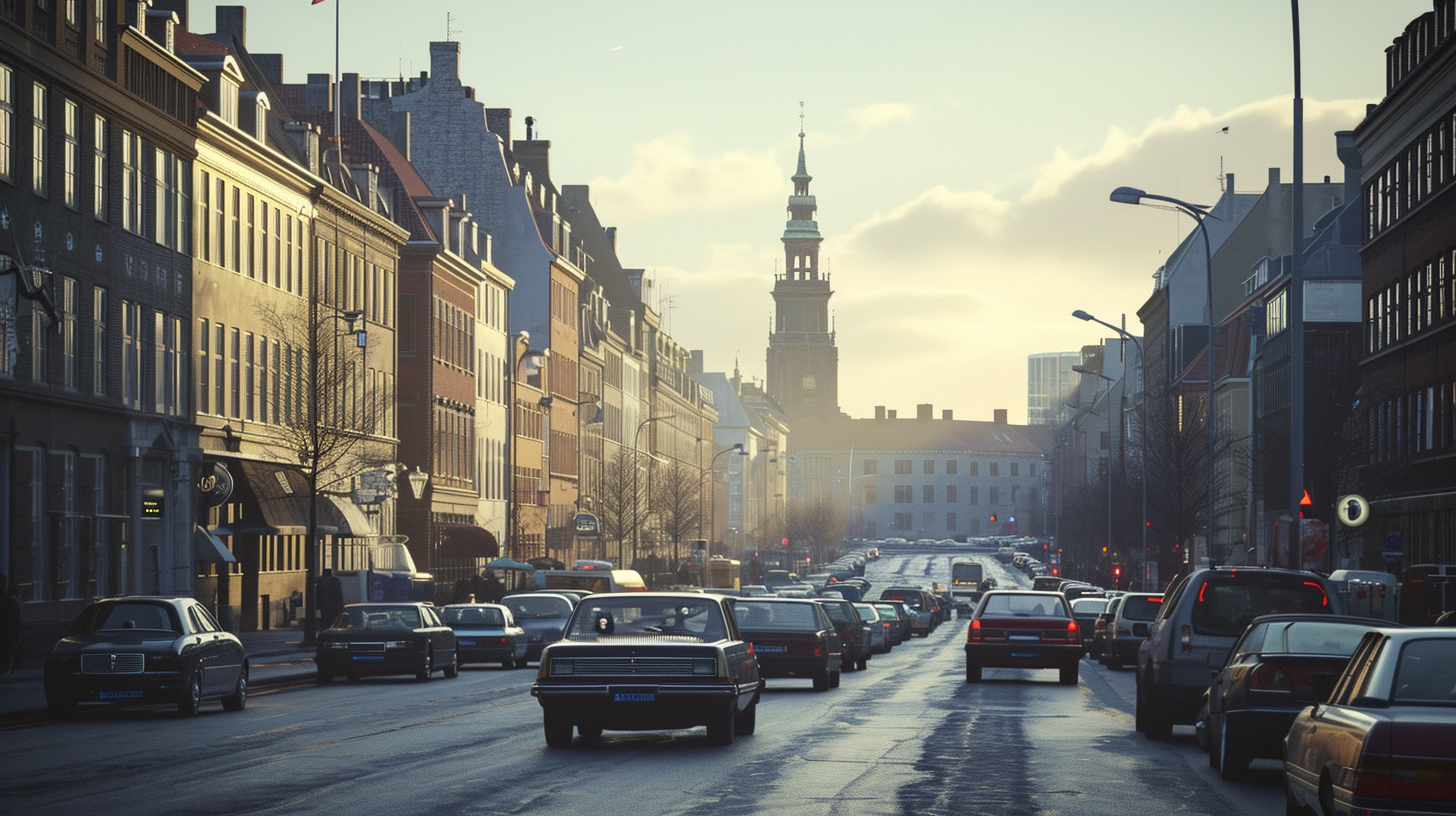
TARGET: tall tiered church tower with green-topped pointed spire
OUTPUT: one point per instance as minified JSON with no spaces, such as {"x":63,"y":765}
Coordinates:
{"x":803,"y":358}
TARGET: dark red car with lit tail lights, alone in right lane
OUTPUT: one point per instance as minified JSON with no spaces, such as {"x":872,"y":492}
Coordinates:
{"x":1023,"y":630}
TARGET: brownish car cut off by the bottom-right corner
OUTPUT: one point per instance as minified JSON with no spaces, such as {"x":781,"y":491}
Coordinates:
{"x":1385,"y":741}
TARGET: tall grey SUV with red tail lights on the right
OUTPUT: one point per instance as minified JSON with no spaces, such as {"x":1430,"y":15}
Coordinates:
{"x":1198,"y":624}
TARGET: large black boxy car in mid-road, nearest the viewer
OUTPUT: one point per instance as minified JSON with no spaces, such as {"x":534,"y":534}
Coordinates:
{"x":650,"y":661}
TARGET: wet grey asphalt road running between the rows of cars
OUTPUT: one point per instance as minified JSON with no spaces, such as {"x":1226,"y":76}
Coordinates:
{"x":906,"y":737}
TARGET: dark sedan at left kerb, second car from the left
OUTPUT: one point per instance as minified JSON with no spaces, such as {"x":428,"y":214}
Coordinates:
{"x":387,"y":639}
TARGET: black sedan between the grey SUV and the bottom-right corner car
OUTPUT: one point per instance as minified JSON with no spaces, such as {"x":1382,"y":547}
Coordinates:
{"x":1253,"y":699}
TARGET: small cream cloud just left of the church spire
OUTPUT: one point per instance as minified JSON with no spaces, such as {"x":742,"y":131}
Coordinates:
{"x":668,"y":177}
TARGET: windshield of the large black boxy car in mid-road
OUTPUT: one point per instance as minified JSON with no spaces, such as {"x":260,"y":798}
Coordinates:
{"x":656,"y":619}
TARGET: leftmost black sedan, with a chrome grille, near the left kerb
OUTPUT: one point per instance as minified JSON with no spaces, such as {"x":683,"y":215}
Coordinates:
{"x":146,"y":651}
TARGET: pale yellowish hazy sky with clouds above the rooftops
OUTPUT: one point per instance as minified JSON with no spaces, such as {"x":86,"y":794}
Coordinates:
{"x":963,"y":151}
